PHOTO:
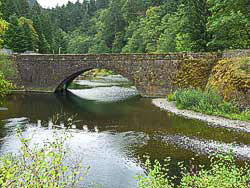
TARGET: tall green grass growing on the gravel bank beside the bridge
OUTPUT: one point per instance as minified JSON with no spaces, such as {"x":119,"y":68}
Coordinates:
{"x":210,"y":103}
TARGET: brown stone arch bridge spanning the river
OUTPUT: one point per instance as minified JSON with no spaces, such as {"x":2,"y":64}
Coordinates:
{"x":152,"y":74}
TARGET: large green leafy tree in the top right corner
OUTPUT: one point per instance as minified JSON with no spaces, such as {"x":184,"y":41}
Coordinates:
{"x":229,"y":24}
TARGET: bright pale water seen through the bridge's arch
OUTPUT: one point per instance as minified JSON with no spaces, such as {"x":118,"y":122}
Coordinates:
{"x":110,"y":88}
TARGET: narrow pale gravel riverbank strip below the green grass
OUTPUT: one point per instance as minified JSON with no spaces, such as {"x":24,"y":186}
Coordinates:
{"x":211,"y":120}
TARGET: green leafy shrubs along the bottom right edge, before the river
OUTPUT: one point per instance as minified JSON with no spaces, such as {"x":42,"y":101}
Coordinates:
{"x":223,"y":172}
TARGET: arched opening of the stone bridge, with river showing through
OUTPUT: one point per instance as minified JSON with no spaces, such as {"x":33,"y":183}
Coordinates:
{"x":99,"y":85}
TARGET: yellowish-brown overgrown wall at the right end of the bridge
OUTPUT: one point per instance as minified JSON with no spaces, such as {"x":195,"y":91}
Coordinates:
{"x":231,"y":77}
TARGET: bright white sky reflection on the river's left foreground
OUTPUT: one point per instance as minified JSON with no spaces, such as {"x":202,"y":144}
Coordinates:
{"x":104,"y":152}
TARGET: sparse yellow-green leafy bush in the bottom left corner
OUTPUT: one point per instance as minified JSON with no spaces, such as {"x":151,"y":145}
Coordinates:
{"x":40,"y":166}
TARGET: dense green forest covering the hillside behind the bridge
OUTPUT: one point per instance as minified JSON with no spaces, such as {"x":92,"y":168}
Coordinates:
{"x":126,"y":26}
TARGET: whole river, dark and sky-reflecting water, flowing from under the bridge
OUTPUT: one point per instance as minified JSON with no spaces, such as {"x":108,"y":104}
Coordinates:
{"x":116,"y":129}
